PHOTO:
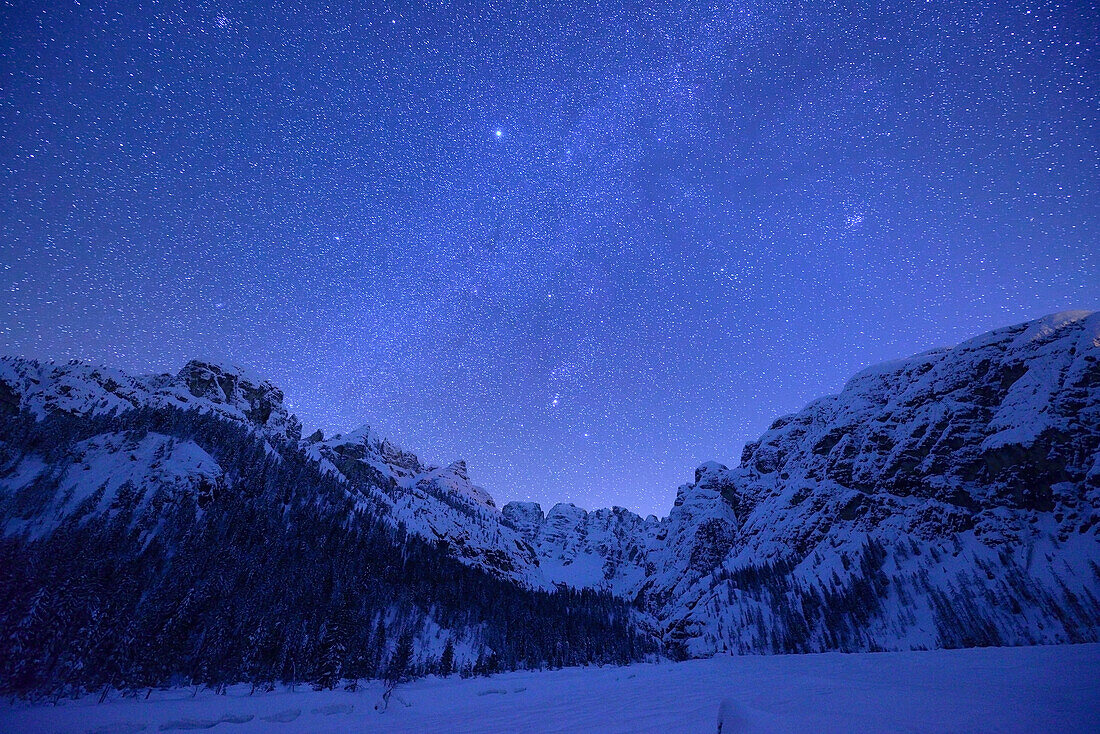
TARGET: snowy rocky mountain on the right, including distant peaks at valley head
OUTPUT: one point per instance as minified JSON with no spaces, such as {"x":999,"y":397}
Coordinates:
{"x":951,"y":499}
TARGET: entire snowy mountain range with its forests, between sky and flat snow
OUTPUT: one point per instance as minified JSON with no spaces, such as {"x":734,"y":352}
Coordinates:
{"x":947,"y":500}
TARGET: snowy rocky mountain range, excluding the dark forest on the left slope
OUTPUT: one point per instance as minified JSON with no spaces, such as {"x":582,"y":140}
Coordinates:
{"x":951,"y":499}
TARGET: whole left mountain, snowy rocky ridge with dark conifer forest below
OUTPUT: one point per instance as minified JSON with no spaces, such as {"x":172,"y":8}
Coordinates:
{"x":175,"y":530}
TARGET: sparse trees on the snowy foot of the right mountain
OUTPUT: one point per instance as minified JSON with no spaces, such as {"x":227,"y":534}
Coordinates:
{"x":994,"y":601}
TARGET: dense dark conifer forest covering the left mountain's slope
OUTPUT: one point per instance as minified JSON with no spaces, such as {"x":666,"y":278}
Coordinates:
{"x":276,"y":575}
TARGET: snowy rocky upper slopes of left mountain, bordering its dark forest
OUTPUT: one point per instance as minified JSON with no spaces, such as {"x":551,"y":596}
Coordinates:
{"x":437,"y":503}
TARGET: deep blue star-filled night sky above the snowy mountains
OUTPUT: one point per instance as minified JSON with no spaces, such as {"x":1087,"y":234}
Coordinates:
{"x":584,"y":246}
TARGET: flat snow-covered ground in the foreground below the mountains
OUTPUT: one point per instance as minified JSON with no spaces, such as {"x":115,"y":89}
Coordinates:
{"x":1025,"y":689}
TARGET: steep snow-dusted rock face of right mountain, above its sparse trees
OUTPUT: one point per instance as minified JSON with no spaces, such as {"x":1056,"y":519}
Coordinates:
{"x":984,"y":440}
